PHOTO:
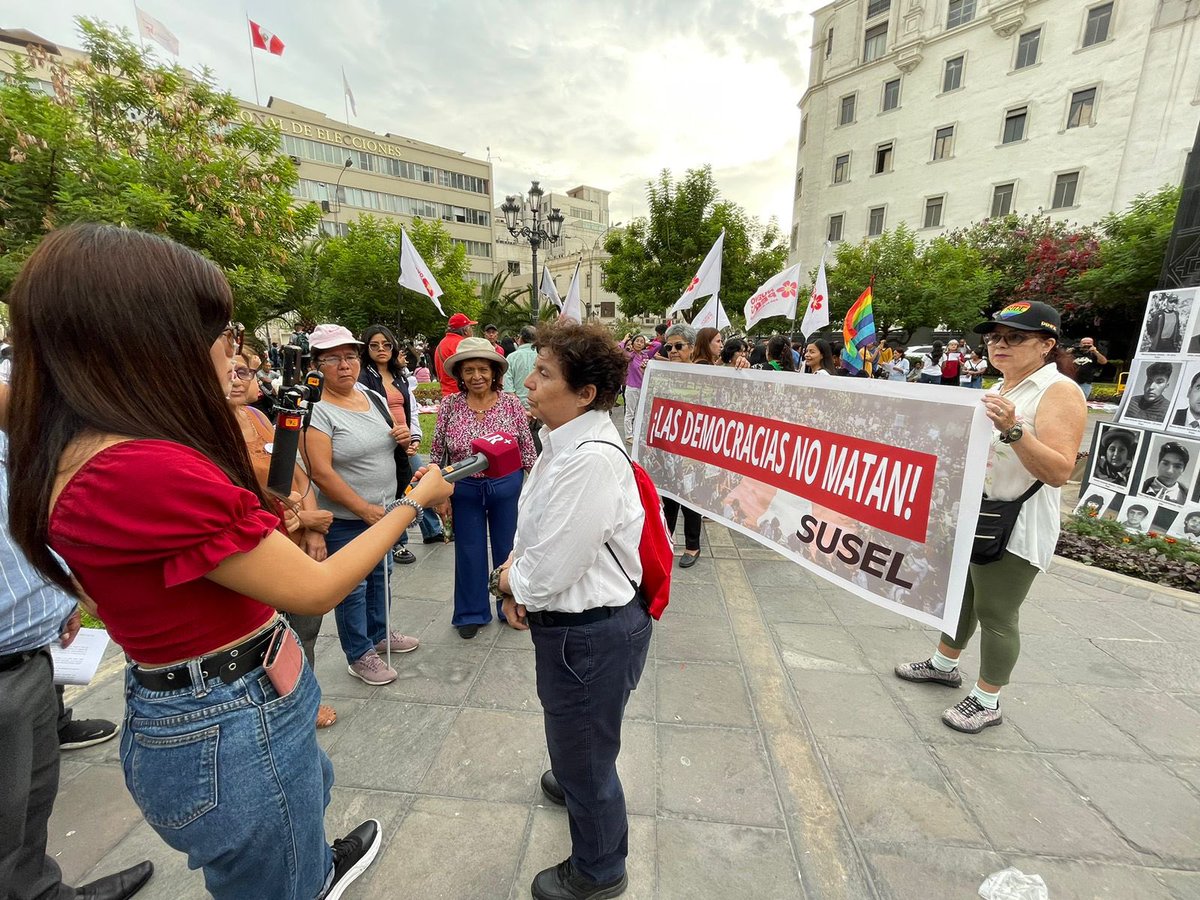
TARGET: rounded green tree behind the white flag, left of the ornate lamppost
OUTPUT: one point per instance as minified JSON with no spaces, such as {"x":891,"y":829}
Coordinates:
{"x":356,"y":278}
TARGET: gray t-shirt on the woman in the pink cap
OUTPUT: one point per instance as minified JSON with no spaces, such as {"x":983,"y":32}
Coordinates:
{"x":364,"y":455}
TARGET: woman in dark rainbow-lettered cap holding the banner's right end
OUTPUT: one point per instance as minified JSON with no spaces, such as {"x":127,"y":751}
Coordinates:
{"x":1039,"y":415}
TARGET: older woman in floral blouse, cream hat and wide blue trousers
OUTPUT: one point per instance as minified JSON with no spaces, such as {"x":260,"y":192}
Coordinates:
{"x":482,"y":506}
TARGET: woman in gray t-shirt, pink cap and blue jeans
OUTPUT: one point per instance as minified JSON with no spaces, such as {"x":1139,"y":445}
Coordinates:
{"x":351,"y":454}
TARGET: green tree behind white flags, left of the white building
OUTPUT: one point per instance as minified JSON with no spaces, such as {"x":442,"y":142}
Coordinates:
{"x":655,"y":259}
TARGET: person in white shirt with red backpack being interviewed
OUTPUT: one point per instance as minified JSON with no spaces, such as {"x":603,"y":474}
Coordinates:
{"x":571,"y":581}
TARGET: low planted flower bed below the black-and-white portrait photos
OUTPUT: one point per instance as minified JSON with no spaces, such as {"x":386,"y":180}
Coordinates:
{"x":1153,"y":557}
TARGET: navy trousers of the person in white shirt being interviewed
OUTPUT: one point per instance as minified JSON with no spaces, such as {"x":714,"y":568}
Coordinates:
{"x":585,"y":677}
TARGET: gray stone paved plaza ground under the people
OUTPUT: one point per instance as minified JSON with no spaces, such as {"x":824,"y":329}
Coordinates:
{"x":769,"y":753}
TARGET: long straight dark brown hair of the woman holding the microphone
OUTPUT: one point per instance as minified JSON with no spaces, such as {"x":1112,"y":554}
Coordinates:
{"x":88,"y":298}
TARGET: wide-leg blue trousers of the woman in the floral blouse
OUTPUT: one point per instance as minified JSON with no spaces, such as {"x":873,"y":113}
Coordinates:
{"x":483,"y":508}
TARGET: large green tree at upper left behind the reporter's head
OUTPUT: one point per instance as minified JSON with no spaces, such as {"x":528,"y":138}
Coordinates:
{"x":123,"y":139}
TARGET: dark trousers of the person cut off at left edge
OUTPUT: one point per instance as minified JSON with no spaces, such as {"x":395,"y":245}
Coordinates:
{"x":29,"y":747}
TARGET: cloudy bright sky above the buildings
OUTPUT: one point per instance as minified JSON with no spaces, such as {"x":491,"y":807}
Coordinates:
{"x":605,"y":94}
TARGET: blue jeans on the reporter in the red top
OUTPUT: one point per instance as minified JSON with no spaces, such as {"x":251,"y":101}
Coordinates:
{"x":231,"y":775}
